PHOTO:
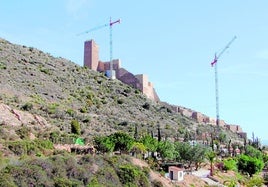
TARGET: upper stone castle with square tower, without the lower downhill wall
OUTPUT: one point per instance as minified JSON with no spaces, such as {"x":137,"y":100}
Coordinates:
{"x":141,"y":82}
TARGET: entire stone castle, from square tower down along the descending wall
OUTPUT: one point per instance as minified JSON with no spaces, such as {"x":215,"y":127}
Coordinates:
{"x":141,"y":82}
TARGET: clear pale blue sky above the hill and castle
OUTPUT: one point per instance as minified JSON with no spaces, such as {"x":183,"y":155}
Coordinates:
{"x":172,"y":41}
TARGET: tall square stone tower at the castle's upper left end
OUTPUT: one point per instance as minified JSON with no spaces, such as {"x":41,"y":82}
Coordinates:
{"x":91,"y":55}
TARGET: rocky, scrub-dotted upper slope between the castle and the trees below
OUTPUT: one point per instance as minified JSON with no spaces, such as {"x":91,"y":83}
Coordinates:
{"x":61,"y":91}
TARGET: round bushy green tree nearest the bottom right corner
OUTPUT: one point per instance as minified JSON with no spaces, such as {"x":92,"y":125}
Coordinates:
{"x":250,"y":165}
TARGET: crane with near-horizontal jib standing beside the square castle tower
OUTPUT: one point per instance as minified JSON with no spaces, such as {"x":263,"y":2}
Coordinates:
{"x":110,"y":75}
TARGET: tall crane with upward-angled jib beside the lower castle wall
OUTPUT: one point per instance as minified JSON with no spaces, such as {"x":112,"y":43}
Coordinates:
{"x":214,"y":64}
